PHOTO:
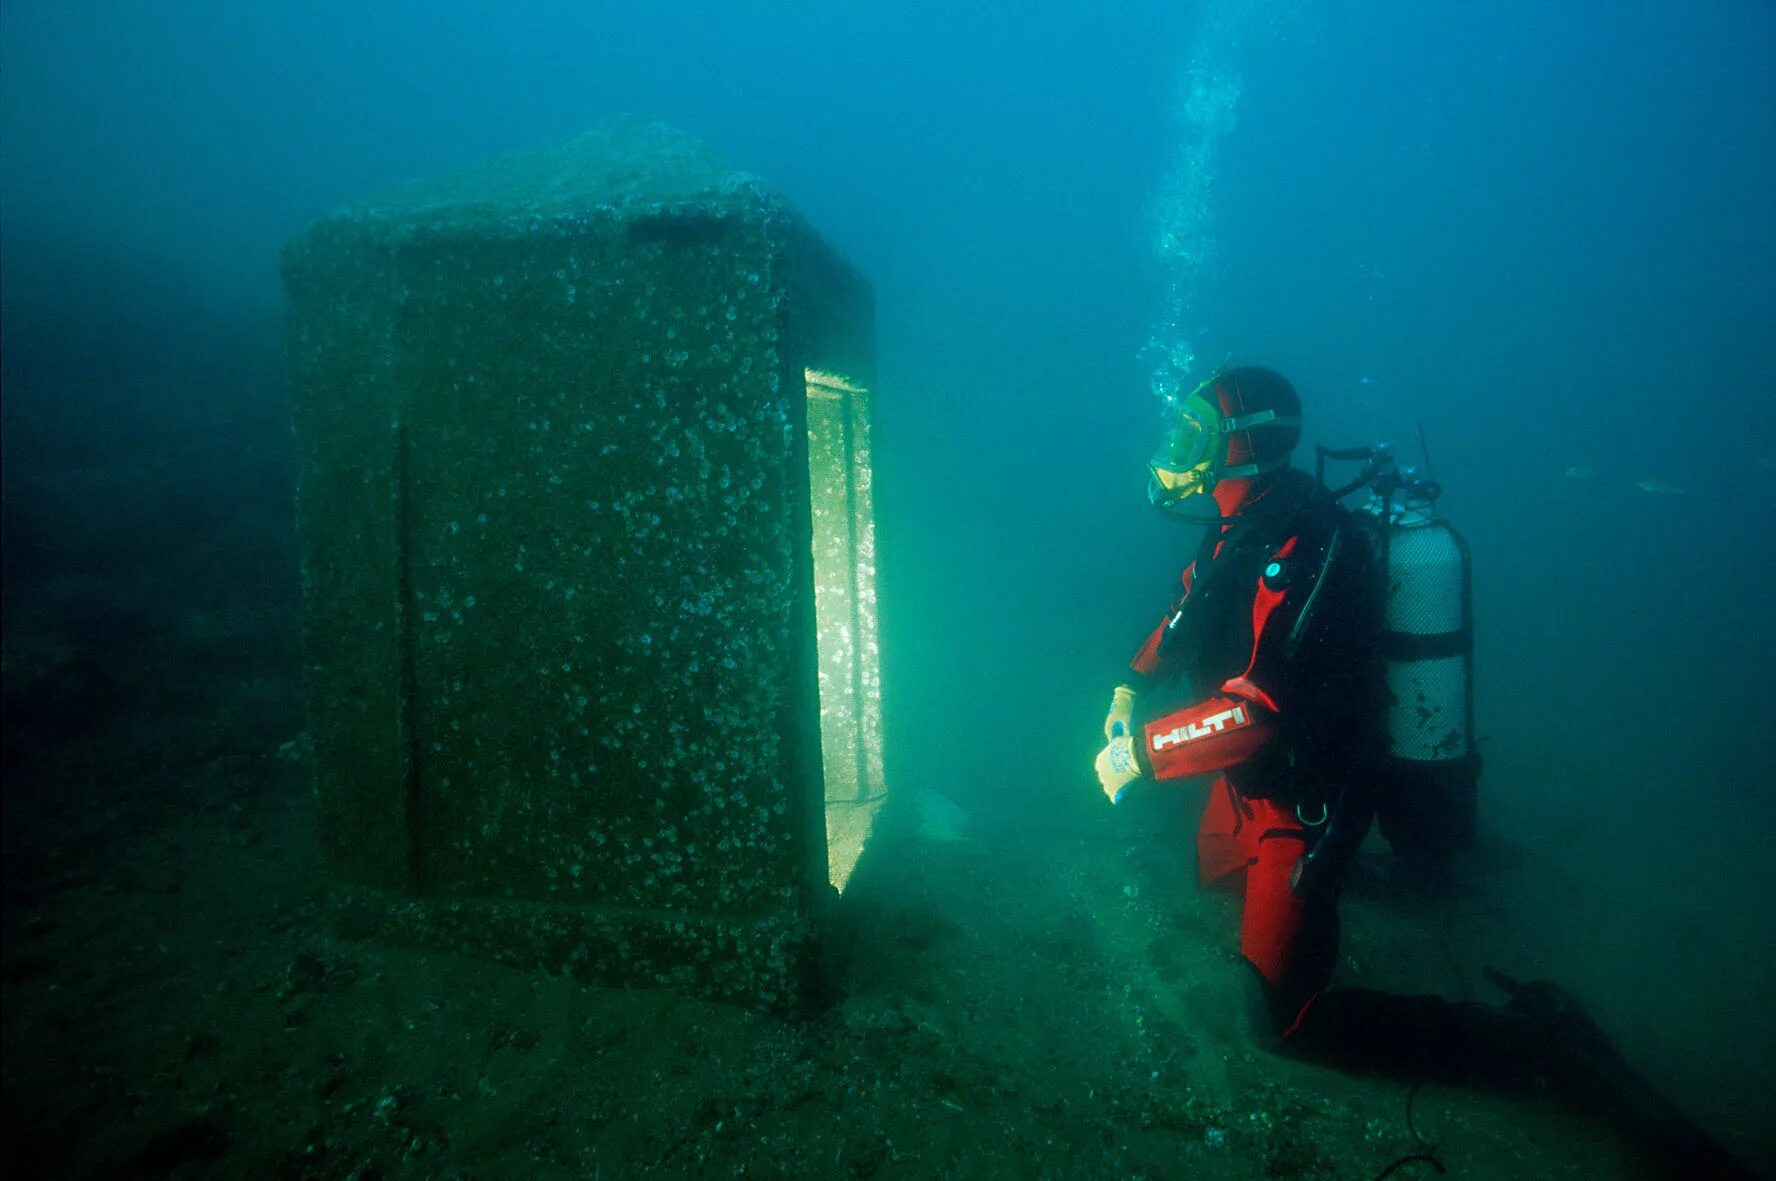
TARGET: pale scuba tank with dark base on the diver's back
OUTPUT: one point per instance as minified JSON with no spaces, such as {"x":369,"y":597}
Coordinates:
{"x":1427,"y":773}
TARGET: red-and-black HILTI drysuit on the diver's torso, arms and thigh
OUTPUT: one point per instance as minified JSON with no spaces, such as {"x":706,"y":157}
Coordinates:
{"x":1280,"y":670}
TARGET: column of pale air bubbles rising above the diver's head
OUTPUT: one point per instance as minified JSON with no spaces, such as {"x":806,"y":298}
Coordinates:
{"x":1207,"y":109}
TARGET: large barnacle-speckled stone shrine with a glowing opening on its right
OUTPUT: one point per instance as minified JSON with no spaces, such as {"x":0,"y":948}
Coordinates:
{"x":589,"y":564}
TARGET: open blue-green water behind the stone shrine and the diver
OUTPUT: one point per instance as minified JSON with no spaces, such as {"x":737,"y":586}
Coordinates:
{"x":1541,"y":232}
